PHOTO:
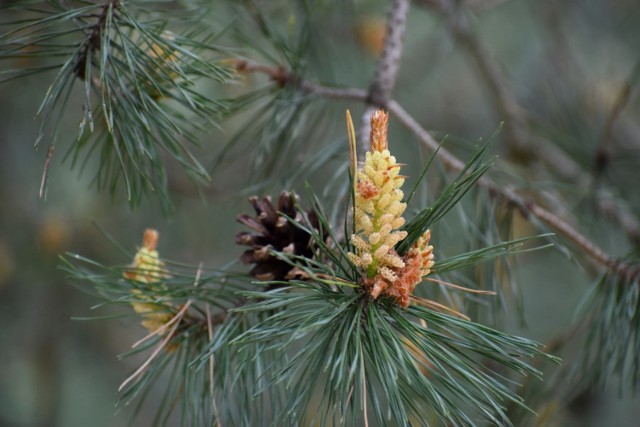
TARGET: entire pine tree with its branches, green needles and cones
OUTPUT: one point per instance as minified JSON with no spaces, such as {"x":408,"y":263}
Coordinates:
{"x":380,"y":263}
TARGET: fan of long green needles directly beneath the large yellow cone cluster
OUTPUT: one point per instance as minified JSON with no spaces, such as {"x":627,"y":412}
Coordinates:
{"x":382,"y":359}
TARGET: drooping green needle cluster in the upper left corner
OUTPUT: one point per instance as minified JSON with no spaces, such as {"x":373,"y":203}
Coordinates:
{"x":137,"y":85}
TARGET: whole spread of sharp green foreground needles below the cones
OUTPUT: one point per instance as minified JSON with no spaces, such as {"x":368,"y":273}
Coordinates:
{"x":319,"y":349}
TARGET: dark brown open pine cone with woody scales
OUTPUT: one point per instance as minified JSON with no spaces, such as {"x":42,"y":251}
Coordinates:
{"x":273,"y":232}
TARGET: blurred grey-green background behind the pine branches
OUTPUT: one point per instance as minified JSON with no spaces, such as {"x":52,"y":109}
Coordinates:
{"x":566,"y":63}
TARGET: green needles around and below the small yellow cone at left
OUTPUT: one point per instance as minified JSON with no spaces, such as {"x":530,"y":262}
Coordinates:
{"x":196,"y":352}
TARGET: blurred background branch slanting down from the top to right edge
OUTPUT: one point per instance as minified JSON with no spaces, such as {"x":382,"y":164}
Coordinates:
{"x":523,"y":144}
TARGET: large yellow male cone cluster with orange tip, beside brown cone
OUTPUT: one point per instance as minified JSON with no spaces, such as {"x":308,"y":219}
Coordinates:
{"x":378,"y":218}
